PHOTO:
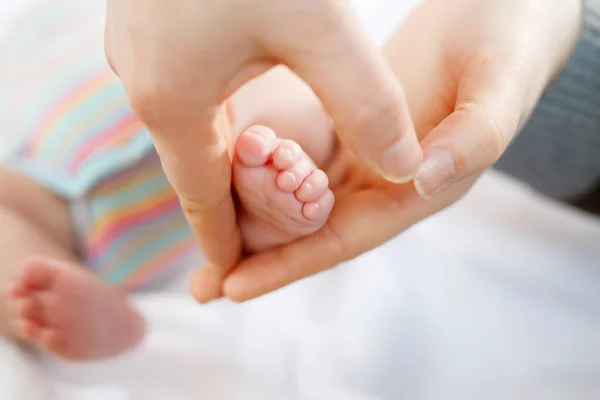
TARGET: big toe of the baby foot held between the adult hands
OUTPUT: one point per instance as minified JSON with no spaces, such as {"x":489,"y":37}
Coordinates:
{"x":254,"y":147}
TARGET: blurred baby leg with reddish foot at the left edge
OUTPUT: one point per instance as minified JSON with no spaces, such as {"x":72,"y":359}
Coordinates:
{"x":49,"y":299}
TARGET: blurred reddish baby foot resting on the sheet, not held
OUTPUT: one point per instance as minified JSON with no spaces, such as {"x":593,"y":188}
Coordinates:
{"x":71,"y":313}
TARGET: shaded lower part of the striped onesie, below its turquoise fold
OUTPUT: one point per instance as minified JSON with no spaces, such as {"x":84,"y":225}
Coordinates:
{"x":135,"y":229}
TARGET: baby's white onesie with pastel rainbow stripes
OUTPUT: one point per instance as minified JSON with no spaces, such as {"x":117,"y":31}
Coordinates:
{"x":74,"y":132}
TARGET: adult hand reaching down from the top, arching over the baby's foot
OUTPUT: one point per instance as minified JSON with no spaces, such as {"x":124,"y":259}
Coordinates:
{"x":180,"y":61}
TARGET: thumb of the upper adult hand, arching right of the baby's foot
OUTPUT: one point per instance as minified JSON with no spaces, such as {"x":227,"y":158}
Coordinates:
{"x":349,"y":74}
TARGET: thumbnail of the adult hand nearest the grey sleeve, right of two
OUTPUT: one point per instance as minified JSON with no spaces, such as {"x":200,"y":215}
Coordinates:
{"x":436,"y":173}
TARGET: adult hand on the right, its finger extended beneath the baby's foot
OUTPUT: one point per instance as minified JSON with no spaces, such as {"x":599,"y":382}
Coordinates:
{"x":473,"y":71}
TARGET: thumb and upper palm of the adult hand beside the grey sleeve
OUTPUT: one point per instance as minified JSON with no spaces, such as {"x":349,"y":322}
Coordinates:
{"x":477,"y":76}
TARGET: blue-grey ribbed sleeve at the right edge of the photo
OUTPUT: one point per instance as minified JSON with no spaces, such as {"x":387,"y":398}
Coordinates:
{"x":558,"y":151}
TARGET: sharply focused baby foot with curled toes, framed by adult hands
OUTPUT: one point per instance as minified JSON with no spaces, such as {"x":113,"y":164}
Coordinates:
{"x":283,"y":194}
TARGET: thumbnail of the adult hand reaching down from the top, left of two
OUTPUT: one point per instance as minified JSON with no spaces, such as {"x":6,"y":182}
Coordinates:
{"x":399,"y":163}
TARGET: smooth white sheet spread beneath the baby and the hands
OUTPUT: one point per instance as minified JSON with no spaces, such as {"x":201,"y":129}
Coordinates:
{"x":496,"y":298}
